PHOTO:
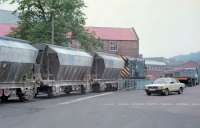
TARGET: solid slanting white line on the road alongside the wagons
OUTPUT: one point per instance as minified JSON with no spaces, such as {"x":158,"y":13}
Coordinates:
{"x":85,"y":98}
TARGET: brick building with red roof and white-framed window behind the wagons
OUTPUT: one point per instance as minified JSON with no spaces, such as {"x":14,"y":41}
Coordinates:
{"x":122,"y":41}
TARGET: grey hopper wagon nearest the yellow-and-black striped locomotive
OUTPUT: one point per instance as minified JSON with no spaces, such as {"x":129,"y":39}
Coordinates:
{"x":105,"y":72}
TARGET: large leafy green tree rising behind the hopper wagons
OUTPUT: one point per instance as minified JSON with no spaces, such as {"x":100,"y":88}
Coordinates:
{"x":45,"y":21}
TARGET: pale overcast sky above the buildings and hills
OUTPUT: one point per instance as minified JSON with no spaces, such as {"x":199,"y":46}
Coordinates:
{"x":165,"y":27}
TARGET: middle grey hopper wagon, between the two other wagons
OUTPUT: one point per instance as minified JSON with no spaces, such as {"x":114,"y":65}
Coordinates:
{"x":61,"y":69}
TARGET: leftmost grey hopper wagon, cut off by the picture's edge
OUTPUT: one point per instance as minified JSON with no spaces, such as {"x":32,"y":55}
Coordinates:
{"x":17,"y":58}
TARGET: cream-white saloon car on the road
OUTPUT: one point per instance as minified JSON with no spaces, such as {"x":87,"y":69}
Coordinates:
{"x":164,"y":86}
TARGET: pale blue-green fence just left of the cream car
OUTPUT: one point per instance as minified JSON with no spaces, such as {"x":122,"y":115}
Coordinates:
{"x":137,"y":84}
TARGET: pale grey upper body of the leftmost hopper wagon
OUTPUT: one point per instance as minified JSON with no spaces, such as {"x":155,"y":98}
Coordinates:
{"x":12,"y":50}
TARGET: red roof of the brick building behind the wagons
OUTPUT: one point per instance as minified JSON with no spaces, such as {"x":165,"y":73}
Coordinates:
{"x":107,"y":33}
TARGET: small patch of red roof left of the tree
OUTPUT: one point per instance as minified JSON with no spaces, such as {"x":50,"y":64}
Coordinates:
{"x":6,"y":29}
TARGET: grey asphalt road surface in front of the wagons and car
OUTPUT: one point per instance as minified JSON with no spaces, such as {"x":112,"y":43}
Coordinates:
{"x":124,"y":109}
